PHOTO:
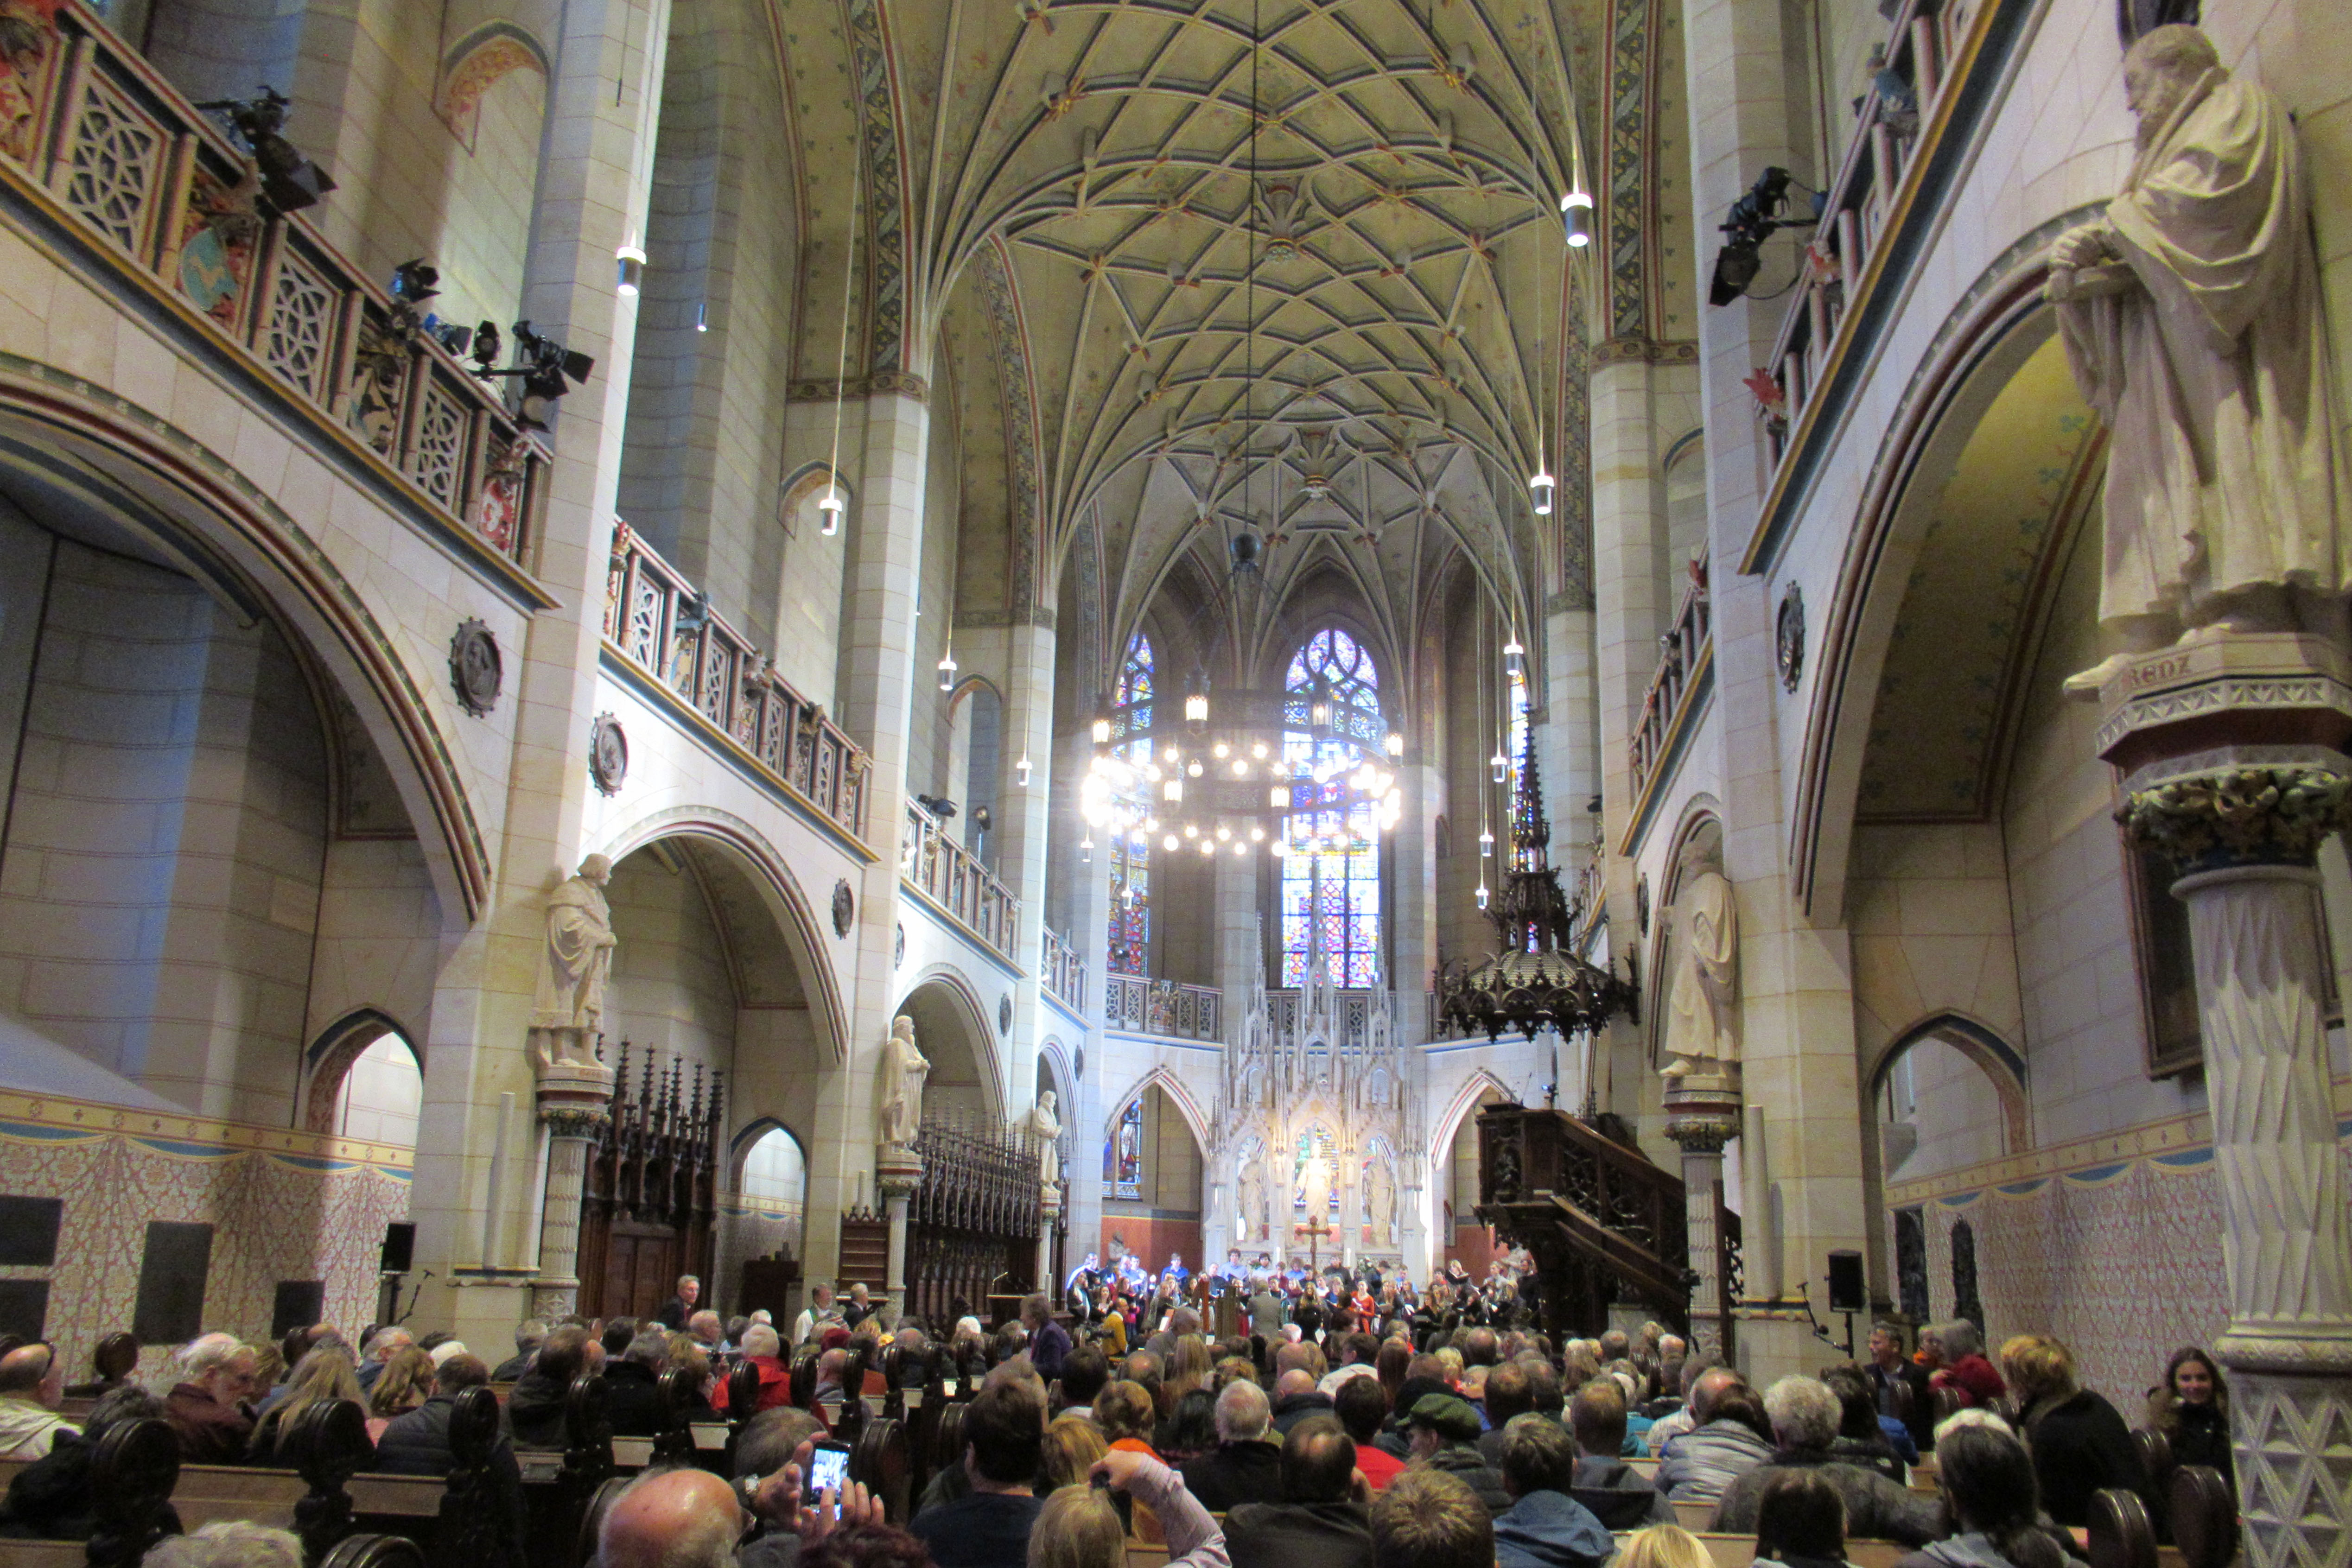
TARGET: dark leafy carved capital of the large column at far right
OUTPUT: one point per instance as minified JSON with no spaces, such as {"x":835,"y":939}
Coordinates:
{"x":2240,"y":815}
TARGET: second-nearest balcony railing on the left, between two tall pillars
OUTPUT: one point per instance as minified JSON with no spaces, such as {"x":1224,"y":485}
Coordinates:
{"x":660,"y":624}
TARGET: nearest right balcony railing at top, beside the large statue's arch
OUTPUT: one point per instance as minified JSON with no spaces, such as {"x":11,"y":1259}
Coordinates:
{"x":1911,"y":128}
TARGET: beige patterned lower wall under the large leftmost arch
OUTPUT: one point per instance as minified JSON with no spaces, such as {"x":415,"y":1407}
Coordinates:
{"x":283,"y":1205}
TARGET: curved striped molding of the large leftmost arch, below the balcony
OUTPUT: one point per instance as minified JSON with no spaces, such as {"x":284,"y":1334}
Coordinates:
{"x":243,"y":547}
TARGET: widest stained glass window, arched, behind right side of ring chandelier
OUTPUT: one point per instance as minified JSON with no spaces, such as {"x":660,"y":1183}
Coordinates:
{"x":1330,"y":847}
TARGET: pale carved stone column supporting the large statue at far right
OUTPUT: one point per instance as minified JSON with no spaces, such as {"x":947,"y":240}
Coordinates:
{"x":2243,"y":824}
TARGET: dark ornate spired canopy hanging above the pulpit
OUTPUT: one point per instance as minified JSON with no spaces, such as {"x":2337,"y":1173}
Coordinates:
{"x":1537,"y":981}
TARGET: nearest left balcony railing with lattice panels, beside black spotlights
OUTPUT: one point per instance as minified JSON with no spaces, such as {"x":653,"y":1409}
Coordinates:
{"x":100,"y":140}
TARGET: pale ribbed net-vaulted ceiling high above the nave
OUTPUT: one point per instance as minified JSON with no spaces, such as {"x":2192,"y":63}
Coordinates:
{"x":1290,"y":267}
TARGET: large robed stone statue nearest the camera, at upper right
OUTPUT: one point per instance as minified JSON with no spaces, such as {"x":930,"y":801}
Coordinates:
{"x":2193,"y":326}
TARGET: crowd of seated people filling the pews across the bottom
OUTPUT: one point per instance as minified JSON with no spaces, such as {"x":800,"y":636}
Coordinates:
{"x":1481,"y":1447}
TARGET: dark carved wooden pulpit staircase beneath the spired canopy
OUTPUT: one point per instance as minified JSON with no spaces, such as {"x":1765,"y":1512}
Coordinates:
{"x":1601,"y":1221}
